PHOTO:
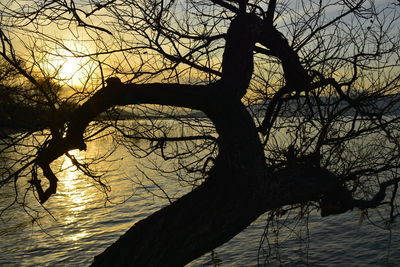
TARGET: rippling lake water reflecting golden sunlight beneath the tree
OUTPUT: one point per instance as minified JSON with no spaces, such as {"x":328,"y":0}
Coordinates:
{"x":82,"y":224}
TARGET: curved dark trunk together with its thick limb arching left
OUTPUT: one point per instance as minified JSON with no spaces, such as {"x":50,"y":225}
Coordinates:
{"x":239,"y":187}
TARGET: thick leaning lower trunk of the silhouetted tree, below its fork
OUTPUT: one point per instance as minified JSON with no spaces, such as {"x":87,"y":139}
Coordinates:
{"x":237,"y":191}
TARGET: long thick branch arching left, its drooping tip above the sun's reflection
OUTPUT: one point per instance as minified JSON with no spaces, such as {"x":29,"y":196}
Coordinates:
{"x":117,"y":93}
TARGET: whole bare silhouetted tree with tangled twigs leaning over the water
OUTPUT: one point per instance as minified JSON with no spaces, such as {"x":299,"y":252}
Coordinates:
{"x":324,"y":77}
